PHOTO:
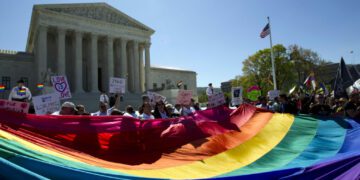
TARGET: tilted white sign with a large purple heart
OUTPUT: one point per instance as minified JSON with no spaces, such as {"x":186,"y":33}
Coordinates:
{"x":61,"y":86}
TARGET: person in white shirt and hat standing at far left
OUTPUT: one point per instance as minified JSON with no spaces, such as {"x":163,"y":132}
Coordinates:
{"x":20,"y":93}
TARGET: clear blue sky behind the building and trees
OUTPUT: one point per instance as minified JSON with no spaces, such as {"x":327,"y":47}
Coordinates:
{"x":214,"y":37}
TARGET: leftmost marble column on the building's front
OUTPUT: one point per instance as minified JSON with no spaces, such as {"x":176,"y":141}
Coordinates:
{"x":41,"y":53}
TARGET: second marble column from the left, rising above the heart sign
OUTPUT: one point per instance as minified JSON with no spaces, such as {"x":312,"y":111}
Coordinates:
{"x":61,"y":51}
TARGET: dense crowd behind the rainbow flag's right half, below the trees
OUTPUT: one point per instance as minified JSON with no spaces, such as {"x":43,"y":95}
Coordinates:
{"x":315,"y":104}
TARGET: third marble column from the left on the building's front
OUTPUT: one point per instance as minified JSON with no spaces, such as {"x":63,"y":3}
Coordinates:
{"x":78,"y":62}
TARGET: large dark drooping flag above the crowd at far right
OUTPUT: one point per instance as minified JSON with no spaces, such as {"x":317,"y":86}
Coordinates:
{"x":342,"y":81}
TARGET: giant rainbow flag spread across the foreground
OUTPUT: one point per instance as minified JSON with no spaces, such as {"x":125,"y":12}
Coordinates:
{"x":246,"y":143}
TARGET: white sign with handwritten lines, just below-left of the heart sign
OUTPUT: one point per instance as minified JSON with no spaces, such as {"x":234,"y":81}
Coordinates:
{"x":46,"y":104}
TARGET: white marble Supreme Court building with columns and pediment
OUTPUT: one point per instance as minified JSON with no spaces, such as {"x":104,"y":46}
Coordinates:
{"x":88,"y":43}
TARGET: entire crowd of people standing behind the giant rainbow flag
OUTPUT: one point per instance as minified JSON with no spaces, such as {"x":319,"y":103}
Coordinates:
{"x":315,"y":104}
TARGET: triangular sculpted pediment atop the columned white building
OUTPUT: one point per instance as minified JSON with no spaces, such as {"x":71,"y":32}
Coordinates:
{"x":97,"y":11}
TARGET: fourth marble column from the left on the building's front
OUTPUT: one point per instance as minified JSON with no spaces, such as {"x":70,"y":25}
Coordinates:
{"x":94,"y":64}
